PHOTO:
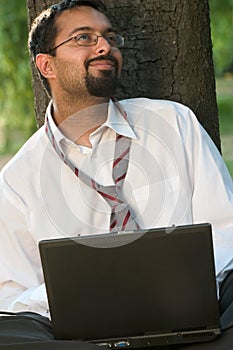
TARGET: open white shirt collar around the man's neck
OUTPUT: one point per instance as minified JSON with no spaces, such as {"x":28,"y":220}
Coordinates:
{"x":116,"y":120}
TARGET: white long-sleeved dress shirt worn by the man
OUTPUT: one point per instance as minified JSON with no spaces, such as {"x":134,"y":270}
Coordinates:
{"x":175,"y":176}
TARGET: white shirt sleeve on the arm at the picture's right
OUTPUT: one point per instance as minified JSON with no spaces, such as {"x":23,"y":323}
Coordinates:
{"x":212,"y":199}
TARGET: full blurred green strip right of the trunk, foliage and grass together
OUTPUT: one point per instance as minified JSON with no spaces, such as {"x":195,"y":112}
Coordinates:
{"x":221,"y":15}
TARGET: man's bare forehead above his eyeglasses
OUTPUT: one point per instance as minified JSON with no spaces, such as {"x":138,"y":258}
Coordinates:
{"x":81,"y":17}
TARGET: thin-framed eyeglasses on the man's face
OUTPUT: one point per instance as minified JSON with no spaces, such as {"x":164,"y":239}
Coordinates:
{"x":90,"y":39}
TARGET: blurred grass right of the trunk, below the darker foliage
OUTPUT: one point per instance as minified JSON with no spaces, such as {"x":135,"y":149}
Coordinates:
{"x":225,"y":107}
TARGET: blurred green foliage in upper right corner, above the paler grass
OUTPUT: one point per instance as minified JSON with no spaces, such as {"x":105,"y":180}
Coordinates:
{"x":221,"y":14}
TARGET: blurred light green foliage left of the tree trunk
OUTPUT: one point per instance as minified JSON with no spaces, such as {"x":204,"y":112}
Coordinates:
{"x":16,"y":96}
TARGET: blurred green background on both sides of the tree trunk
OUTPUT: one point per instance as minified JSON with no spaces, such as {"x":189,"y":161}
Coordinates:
{"x":17,"y":120}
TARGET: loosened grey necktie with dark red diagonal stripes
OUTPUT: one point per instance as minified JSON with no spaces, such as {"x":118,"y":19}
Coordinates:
{"x":121,"y":219}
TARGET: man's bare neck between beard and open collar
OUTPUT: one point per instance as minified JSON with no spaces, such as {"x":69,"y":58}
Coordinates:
{"x":78,"y":119}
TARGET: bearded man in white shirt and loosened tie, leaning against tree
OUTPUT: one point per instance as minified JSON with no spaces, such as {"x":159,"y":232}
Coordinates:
{"x":57,"y":183}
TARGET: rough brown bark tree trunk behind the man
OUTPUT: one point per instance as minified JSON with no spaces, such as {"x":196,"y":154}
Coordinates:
{"x":167,"y":55}
